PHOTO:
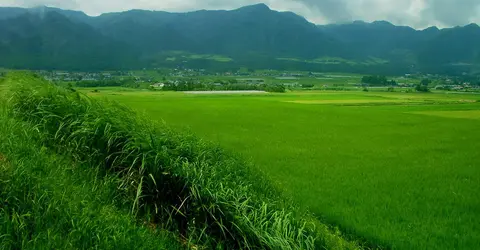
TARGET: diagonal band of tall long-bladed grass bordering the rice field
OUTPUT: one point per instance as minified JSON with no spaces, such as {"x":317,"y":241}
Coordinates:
{"x":209,"y":197}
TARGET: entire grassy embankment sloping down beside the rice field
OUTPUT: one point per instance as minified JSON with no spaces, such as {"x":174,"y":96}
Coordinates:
{"x":80,"y":173}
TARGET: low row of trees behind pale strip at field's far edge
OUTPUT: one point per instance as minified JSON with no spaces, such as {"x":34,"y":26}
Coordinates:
{"x":228,"y":85}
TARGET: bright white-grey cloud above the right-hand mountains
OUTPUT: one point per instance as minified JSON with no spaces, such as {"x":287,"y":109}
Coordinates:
{"x":417,"y":13}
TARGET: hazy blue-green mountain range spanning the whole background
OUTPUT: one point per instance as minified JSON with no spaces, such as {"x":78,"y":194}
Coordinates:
{"x":252,"y":36}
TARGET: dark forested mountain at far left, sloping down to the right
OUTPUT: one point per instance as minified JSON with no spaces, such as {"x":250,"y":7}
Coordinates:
{"x":51,"y":40}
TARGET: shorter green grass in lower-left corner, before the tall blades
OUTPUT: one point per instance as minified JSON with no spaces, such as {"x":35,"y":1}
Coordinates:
{"x":48,"y":202}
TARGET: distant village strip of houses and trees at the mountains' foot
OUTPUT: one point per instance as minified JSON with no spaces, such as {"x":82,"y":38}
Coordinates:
{"x":159,"y":78}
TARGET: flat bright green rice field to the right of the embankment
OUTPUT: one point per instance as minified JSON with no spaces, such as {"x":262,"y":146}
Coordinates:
{"x":397,"y":170}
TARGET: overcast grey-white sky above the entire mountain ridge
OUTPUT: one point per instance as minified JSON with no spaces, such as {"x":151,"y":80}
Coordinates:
{"x":416,"y":13}
